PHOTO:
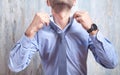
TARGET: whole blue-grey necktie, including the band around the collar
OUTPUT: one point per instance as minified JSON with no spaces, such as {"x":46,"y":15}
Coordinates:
{"x":62,"y":57}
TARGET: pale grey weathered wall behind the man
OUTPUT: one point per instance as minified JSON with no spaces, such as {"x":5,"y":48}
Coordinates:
{"x":16,"y":15}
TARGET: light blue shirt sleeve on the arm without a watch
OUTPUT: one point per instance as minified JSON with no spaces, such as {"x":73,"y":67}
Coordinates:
{"x":21,"y":54}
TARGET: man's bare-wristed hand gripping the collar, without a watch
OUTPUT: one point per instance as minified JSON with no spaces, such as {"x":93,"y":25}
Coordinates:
{"x":39,"y":20}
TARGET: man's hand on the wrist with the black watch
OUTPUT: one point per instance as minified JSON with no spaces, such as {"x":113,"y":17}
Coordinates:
{"x":83,"y":18}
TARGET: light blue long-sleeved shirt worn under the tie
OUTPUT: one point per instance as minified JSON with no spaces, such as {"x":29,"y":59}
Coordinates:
{"x":78,"y":42}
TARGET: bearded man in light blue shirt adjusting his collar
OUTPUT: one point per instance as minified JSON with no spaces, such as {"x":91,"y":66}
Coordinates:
{"x":62,"y":42}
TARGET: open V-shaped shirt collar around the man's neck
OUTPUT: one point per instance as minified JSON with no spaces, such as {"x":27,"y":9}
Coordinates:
{"x":57,"y":28}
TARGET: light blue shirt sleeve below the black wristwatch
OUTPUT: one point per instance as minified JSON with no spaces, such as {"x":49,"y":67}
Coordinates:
{"x":103,"y":50}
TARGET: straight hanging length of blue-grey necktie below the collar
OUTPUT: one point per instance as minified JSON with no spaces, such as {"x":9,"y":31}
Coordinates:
{"x":62,"y":54}
